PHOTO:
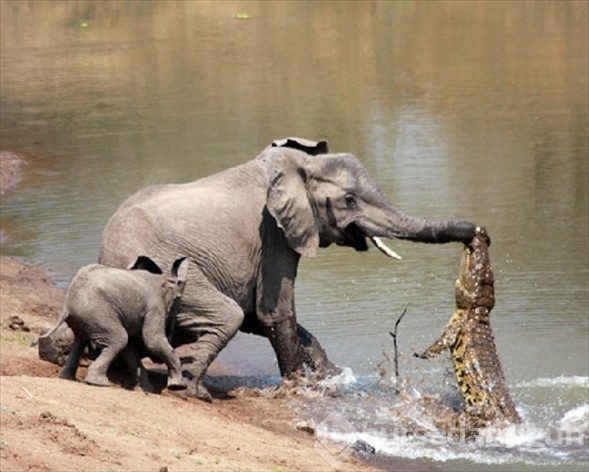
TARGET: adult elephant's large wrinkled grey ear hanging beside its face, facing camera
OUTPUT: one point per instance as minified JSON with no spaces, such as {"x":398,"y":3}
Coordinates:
{"x":288,"y":203}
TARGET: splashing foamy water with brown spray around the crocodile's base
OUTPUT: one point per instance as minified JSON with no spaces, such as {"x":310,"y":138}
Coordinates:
{"x":403,"y":426}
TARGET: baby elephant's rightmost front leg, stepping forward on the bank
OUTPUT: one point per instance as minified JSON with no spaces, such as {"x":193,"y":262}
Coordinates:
{"x":154,"y":338}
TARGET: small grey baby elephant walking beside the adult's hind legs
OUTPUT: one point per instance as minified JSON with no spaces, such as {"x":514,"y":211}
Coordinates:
{"x":108,"y":307}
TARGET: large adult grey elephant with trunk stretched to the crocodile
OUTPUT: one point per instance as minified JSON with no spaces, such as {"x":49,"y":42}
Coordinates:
{"x":244,"y":231}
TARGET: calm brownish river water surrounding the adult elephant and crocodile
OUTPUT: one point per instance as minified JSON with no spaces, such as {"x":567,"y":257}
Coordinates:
{"x":474,"y":110}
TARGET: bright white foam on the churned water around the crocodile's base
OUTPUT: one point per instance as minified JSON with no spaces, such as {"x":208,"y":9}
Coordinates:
{"x":547,"y":442}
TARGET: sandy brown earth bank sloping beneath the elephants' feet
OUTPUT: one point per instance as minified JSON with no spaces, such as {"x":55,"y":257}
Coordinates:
{"x":49,"y":424}
